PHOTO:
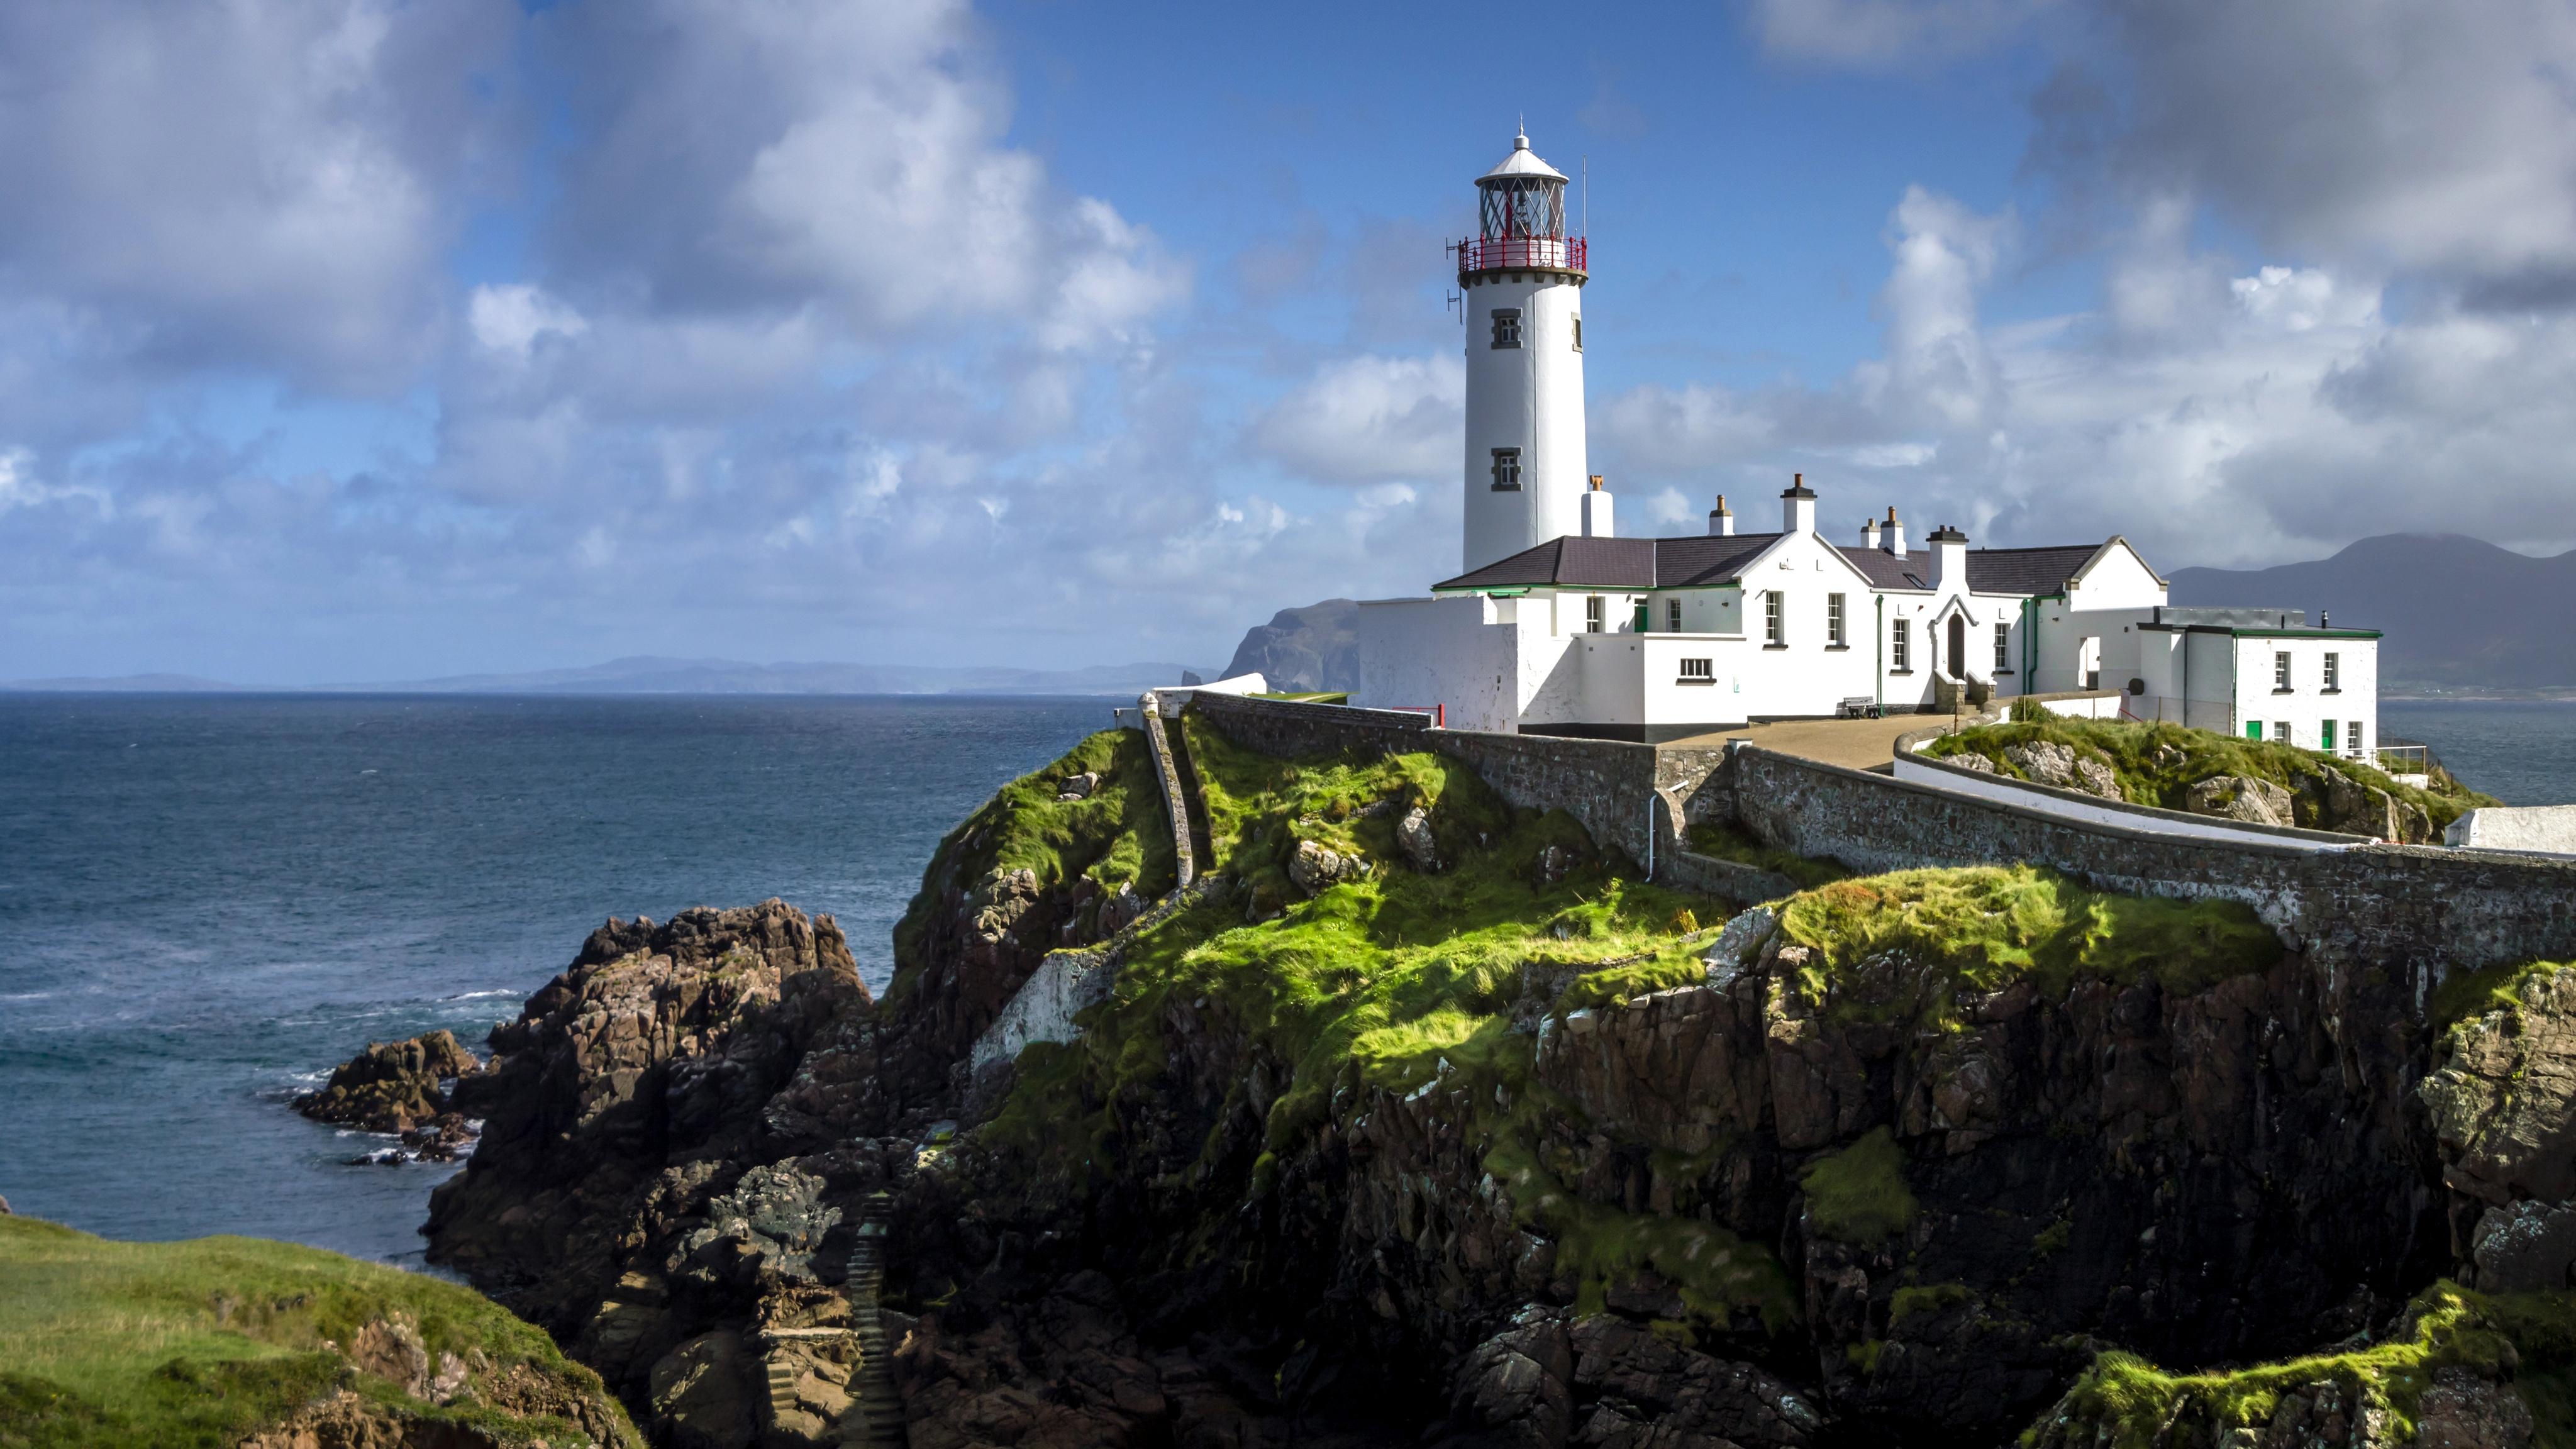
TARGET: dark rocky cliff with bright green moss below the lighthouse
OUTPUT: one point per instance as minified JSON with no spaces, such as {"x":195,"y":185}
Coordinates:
{"x":1477,"y":1138}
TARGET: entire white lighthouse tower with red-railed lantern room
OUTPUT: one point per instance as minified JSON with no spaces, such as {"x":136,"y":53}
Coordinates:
{"x":1524,"y":282}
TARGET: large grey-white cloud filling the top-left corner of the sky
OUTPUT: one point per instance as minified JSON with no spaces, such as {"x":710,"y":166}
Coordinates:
{"x":243,"y":184}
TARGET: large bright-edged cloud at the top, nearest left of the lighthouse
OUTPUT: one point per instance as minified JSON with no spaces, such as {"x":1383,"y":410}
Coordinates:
{"x":849,"y":153}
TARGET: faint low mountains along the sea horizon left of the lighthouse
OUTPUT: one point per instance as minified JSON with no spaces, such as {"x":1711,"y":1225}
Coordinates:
{"x":650,"y":674}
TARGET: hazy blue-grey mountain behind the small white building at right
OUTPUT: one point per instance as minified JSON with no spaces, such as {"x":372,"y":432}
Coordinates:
{"x":2456,"y":615}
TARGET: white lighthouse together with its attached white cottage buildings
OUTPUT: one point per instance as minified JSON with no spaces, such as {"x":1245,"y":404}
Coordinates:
{"x":1557,"y":625}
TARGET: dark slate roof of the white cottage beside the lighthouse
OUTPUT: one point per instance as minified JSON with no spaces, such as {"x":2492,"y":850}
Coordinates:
{"x":1707,"y":561}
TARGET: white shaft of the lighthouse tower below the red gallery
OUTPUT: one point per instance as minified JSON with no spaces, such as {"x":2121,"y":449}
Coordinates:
{"x":1526,"y":398}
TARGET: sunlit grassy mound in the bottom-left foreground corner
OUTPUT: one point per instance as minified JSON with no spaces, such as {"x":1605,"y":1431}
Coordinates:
{"x":197,"y":1345}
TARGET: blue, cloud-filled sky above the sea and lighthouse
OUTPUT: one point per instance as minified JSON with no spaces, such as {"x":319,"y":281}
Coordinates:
{"x":372,"y":339}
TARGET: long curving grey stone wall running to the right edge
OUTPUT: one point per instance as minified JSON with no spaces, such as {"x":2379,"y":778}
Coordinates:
{"x":2407,"y":909}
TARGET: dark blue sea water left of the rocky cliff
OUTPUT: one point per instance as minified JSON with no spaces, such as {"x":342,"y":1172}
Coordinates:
{"x":210,"y":901}
